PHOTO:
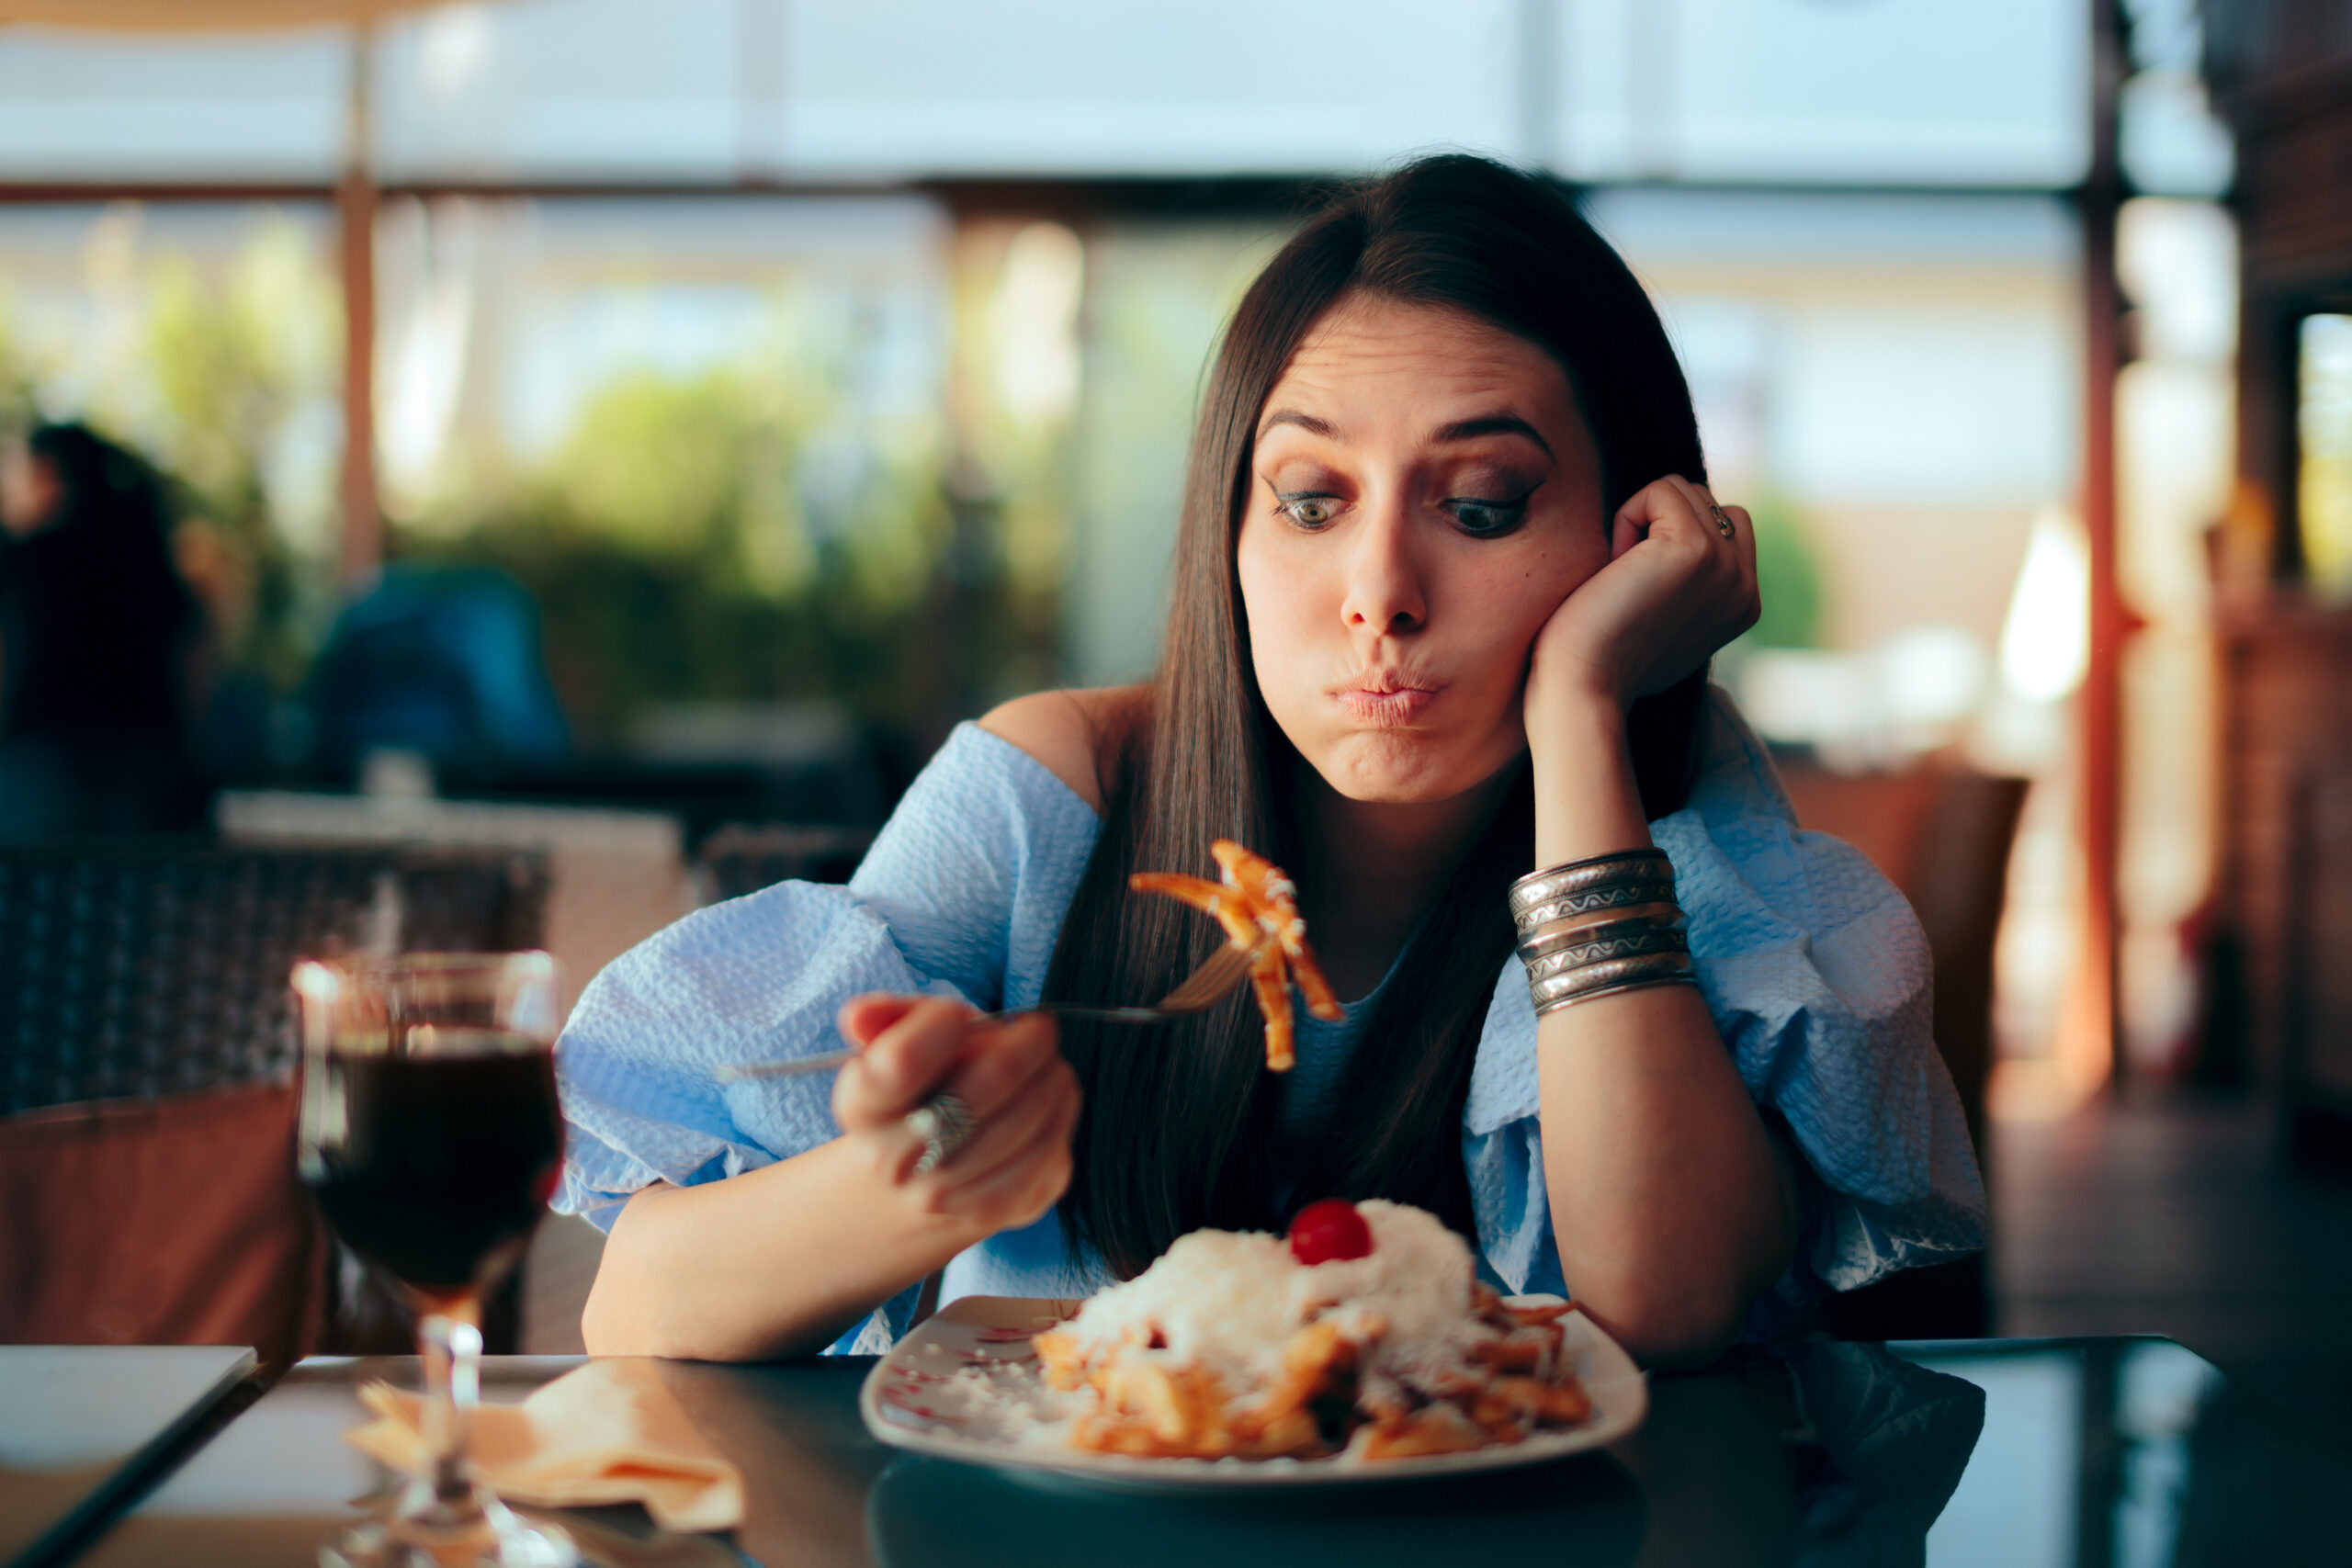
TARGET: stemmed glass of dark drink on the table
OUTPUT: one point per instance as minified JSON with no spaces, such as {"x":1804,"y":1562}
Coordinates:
{"x":432,"y":1139}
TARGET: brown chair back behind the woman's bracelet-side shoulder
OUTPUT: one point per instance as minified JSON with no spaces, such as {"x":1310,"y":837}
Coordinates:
{"x":1944,"y":838}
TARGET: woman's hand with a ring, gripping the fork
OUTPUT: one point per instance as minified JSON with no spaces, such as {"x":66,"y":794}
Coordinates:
{"x":1008,"y":1073}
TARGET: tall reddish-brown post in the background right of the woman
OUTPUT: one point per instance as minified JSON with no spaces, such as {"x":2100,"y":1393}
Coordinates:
{"x":2102,"y":690}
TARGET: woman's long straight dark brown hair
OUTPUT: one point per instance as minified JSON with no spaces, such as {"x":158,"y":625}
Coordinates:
{"x":1180,"y":1120}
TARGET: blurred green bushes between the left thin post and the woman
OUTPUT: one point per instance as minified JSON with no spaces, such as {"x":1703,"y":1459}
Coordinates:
{"x":676,"y":556}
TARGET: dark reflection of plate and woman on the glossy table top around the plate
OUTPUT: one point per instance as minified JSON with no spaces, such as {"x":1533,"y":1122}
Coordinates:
{"x":1824,"y":1454}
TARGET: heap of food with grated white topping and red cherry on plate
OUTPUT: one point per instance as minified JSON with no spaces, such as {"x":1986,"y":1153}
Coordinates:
{"x":1363,"y":1334}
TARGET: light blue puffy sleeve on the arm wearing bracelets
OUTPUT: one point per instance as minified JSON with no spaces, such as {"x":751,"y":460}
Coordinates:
{"x":1819,"y":979}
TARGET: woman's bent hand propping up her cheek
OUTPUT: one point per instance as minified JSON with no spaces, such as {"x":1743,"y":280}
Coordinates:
{"x":1671,"y":596}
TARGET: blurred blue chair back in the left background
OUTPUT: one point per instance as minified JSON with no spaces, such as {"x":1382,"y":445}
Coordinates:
{"x":439,"y":662}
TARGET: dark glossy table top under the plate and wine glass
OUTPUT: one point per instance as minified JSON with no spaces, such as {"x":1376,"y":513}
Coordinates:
{"x":1998,"y":1452}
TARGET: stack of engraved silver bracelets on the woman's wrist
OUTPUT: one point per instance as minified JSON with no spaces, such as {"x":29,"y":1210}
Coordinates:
{"x":1601,"y":927}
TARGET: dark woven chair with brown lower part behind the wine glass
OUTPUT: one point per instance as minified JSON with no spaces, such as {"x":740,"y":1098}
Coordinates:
{"x":147,"y":1057}
